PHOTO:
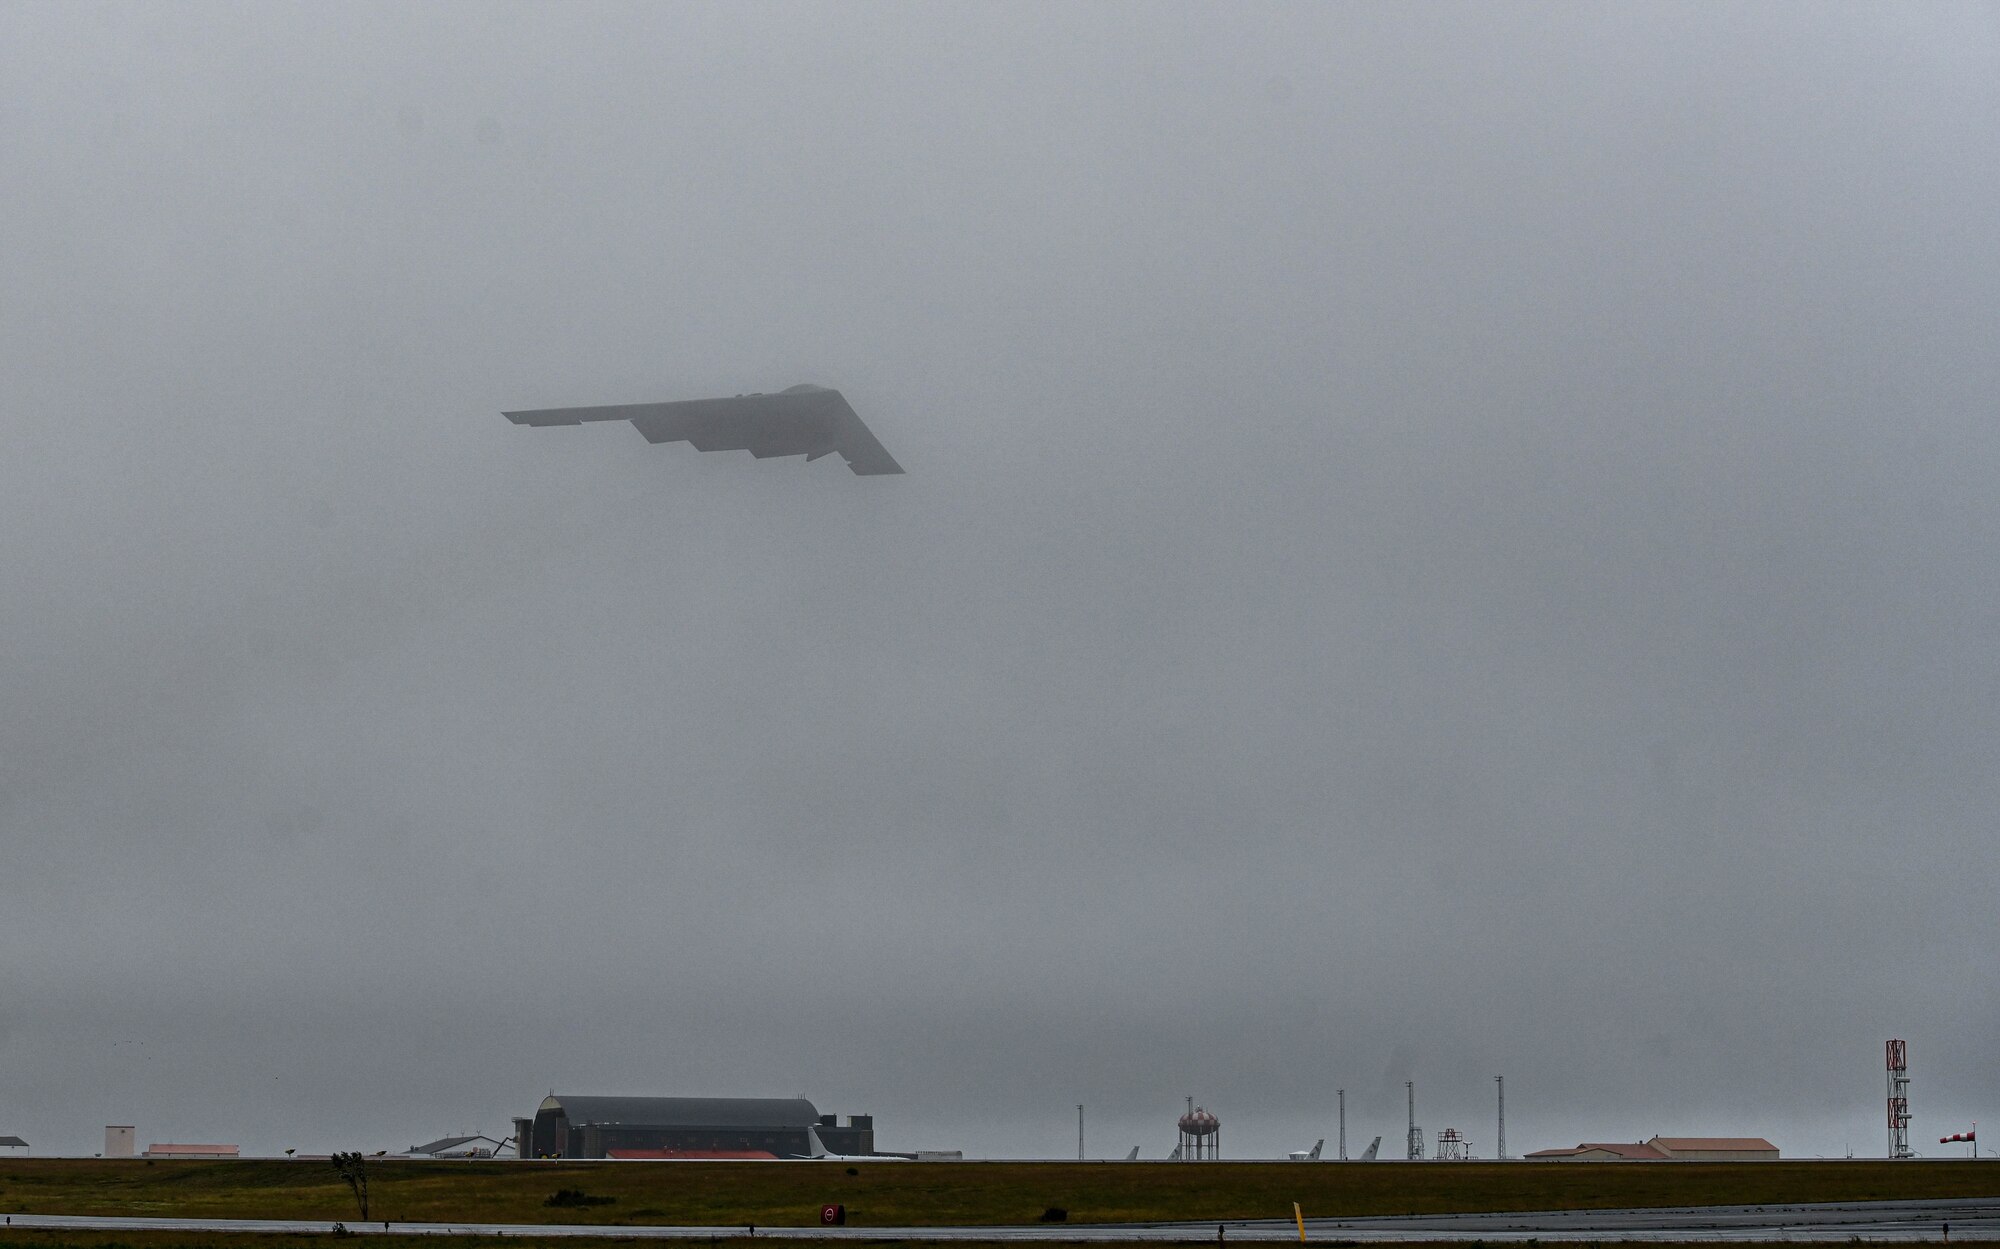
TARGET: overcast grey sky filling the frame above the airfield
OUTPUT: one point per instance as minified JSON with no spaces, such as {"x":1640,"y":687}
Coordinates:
{"x":1439,"y":541}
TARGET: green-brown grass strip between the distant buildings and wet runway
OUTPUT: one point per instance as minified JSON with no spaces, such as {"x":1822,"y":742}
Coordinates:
{"x":943,"y":1194}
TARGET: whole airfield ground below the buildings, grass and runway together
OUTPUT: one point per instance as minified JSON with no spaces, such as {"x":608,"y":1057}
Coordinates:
{"x":251,"y":1204}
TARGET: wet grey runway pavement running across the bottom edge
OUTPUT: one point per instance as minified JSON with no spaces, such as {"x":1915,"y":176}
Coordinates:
{"x":1831,"y":1222}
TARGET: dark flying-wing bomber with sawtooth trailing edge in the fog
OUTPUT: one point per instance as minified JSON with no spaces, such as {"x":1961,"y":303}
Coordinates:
{"x":807,"y":421}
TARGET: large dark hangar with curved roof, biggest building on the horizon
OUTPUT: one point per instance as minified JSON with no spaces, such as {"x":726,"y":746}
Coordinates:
{"x":669,"y":1128}
